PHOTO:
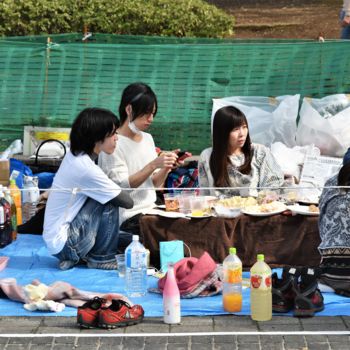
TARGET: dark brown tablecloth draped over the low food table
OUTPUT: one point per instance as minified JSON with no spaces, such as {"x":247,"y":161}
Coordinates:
{"x":284,"y":239}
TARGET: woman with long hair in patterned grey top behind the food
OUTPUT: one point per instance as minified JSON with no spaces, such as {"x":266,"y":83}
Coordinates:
{"x":233,"y":161}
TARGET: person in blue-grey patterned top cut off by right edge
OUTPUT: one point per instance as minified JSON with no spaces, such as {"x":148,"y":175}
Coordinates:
{"x":334,"y":227}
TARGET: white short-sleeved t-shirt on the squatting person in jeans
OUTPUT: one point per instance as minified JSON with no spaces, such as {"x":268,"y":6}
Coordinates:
{"x":62,"y":206}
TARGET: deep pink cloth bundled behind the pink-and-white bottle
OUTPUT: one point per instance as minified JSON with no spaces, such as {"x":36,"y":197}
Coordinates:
{"x":191,"y":272}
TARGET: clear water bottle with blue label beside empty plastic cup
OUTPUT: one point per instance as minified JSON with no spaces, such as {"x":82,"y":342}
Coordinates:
{"x":135,"y":268}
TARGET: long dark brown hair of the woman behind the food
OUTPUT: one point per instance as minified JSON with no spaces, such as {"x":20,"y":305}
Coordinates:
{"x":225,"y":120}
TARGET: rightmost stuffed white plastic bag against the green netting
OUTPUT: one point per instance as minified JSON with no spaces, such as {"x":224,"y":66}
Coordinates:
{"x":326,"y":123}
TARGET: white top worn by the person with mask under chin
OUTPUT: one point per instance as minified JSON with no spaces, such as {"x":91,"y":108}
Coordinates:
{"x":128,"y":158}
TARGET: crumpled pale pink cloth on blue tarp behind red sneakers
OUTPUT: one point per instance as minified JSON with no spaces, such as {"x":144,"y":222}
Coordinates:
{"x":58,"y":291}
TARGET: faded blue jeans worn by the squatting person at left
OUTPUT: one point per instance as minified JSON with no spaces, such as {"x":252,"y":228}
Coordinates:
{"x":93,"y":235}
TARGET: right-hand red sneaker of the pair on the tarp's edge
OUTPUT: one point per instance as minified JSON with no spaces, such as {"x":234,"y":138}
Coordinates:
{"x":120,"y":314}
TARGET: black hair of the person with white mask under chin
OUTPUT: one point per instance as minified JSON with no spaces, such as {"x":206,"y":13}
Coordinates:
{"x":142,"y":100}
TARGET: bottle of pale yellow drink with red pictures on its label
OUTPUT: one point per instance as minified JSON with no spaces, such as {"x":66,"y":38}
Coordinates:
{"x":260,"y":290}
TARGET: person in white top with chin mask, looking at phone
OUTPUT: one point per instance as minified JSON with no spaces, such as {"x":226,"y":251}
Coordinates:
{"x":135,"y":163}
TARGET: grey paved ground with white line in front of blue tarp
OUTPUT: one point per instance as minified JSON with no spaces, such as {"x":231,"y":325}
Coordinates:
{"x":219,"y":332}
